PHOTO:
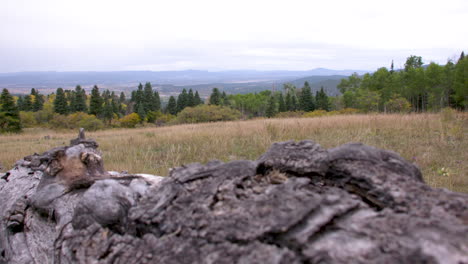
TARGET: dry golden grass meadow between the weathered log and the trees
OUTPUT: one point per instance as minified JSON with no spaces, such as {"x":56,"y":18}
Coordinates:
{"x":437,"y":144}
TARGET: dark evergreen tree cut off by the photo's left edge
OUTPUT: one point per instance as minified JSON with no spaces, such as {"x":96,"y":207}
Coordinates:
{"x":9,"y":113}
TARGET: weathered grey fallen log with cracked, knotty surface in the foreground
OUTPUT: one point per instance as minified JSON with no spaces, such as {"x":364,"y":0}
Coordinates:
{"x":298,"y":203}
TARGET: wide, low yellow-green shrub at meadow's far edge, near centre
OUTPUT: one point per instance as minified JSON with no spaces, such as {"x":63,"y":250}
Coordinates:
{"x":207,"y":113}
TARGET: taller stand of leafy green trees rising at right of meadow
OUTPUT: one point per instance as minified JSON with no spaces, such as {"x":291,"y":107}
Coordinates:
{"x":416,"y":88}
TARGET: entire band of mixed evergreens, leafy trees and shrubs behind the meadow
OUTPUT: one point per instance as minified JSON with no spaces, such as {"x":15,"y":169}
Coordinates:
{"x":416,"y":88}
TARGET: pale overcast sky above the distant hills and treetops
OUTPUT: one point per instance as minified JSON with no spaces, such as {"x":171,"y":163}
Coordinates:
{"x":107,"y":35}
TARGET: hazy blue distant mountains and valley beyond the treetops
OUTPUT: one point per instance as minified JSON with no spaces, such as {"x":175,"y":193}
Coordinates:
{"x":169,"y":82}
